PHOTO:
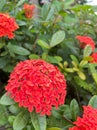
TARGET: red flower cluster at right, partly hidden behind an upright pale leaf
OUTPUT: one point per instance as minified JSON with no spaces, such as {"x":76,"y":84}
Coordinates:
{"x":85,"y":40}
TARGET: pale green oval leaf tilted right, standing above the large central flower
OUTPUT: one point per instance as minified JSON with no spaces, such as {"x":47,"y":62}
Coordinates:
{"x":57,"y":38}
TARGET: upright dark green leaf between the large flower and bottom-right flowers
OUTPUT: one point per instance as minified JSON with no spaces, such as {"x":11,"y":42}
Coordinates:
{"x":74,"y":108}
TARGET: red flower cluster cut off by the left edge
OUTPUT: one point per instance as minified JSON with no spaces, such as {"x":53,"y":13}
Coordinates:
{"x":7,"y":25}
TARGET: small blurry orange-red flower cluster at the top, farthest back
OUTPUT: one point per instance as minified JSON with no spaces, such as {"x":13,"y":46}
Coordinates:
{"x":29,"y":10}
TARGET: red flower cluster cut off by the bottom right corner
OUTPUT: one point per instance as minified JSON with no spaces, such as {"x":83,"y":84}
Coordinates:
{"x":88,"y":121}
